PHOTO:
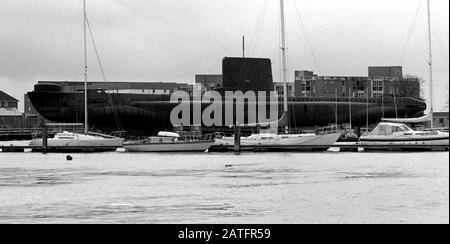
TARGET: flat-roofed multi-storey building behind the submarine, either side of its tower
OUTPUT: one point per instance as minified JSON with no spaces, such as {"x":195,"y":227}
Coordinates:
{"x":381,"y":81}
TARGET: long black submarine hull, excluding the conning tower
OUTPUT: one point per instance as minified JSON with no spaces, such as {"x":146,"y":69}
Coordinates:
{"x":144,"y":115}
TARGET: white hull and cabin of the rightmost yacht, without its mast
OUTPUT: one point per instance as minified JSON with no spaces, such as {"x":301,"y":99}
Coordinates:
{"x":399,"y":134}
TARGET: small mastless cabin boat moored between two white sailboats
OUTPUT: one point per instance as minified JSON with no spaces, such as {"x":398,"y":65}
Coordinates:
{"x":170,"y":142}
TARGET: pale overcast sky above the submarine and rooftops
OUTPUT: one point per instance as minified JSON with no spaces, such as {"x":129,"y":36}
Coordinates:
{"x":172,"y":40}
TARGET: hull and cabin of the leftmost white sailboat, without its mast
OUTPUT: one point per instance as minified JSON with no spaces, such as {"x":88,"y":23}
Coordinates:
{"x":67,"y":141}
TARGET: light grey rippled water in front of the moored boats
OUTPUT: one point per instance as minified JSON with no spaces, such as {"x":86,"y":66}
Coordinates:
{"x":225,"y":188}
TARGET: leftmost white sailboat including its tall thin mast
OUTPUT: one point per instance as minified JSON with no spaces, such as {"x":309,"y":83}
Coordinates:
{"x":88,"y":141}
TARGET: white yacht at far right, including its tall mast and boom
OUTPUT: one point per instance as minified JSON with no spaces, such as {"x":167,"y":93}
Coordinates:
{"x":395,"y":132}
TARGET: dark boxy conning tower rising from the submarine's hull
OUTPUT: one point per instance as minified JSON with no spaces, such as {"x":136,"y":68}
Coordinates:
{"x":247,"y":74}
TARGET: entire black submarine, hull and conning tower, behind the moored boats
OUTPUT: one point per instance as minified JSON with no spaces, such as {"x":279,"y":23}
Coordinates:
{"x":140,"y":114}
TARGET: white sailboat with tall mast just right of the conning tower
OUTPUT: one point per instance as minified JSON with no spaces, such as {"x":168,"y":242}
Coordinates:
{"x":270,"y":138}
